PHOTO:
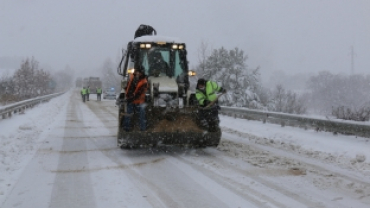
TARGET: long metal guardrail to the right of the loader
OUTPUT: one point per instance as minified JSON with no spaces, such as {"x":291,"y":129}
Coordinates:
{"x":283,"y":119}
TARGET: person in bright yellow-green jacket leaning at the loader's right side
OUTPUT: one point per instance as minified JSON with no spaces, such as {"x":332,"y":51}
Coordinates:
{"x":208,"y":101}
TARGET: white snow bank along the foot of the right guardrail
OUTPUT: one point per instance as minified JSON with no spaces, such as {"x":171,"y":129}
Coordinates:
{"x":348,"y":152}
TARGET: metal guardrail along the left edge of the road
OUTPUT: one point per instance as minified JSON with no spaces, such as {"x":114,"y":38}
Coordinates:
{"x":7,"y":110}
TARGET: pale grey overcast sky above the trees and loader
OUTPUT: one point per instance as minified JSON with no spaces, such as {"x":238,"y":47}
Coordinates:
{"x":295,"y":36}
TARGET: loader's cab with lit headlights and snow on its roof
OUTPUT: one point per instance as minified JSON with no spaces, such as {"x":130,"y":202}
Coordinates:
{"x":164,"y":62}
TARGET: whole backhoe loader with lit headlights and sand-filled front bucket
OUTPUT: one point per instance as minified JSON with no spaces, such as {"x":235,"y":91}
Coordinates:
{"x":171,"y":107}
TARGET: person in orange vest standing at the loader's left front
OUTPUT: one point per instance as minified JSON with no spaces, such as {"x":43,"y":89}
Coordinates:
{"x":135,"y":98}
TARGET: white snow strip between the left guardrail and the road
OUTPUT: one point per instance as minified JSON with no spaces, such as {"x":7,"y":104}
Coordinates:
{"x":20,"y":137}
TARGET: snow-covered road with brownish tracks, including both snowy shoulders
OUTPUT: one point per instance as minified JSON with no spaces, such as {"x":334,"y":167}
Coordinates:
{"x":63,"y":154}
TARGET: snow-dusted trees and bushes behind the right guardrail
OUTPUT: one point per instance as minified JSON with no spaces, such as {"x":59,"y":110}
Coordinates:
{"x":345,"y":97}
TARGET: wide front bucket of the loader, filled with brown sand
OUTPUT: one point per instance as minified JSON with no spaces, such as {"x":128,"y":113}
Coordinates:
{"x":181,"y":130}
